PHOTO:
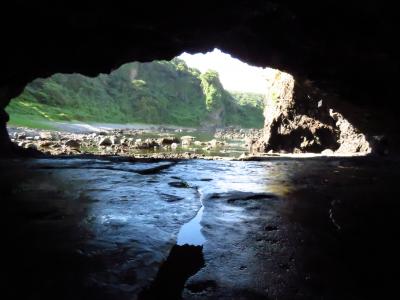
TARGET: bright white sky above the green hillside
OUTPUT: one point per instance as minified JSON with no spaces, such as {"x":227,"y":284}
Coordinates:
{"x":234,"y":74}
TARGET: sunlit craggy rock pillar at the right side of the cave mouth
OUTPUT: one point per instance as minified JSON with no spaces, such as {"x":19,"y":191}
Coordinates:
{"x":298,"y":119}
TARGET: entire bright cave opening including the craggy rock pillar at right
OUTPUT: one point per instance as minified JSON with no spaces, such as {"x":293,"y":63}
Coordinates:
{"x":196,"y":105}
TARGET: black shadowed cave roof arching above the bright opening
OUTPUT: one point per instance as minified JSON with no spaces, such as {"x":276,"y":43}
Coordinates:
{"x":348,"y":50}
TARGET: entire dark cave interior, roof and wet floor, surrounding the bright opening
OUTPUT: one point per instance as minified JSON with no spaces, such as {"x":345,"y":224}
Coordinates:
{"x":272,"y":227}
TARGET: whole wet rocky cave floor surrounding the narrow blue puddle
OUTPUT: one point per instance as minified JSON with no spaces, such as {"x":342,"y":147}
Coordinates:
{"x":316,"y":228}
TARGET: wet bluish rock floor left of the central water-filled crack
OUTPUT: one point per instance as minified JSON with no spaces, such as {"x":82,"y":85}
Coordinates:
{"x":87,"y":229}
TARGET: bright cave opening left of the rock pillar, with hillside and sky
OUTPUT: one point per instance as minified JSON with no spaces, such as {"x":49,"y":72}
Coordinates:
{"x":195,"y":105}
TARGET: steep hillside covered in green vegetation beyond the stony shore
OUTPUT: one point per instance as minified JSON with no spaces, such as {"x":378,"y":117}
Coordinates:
{"x":160,"y":92}
